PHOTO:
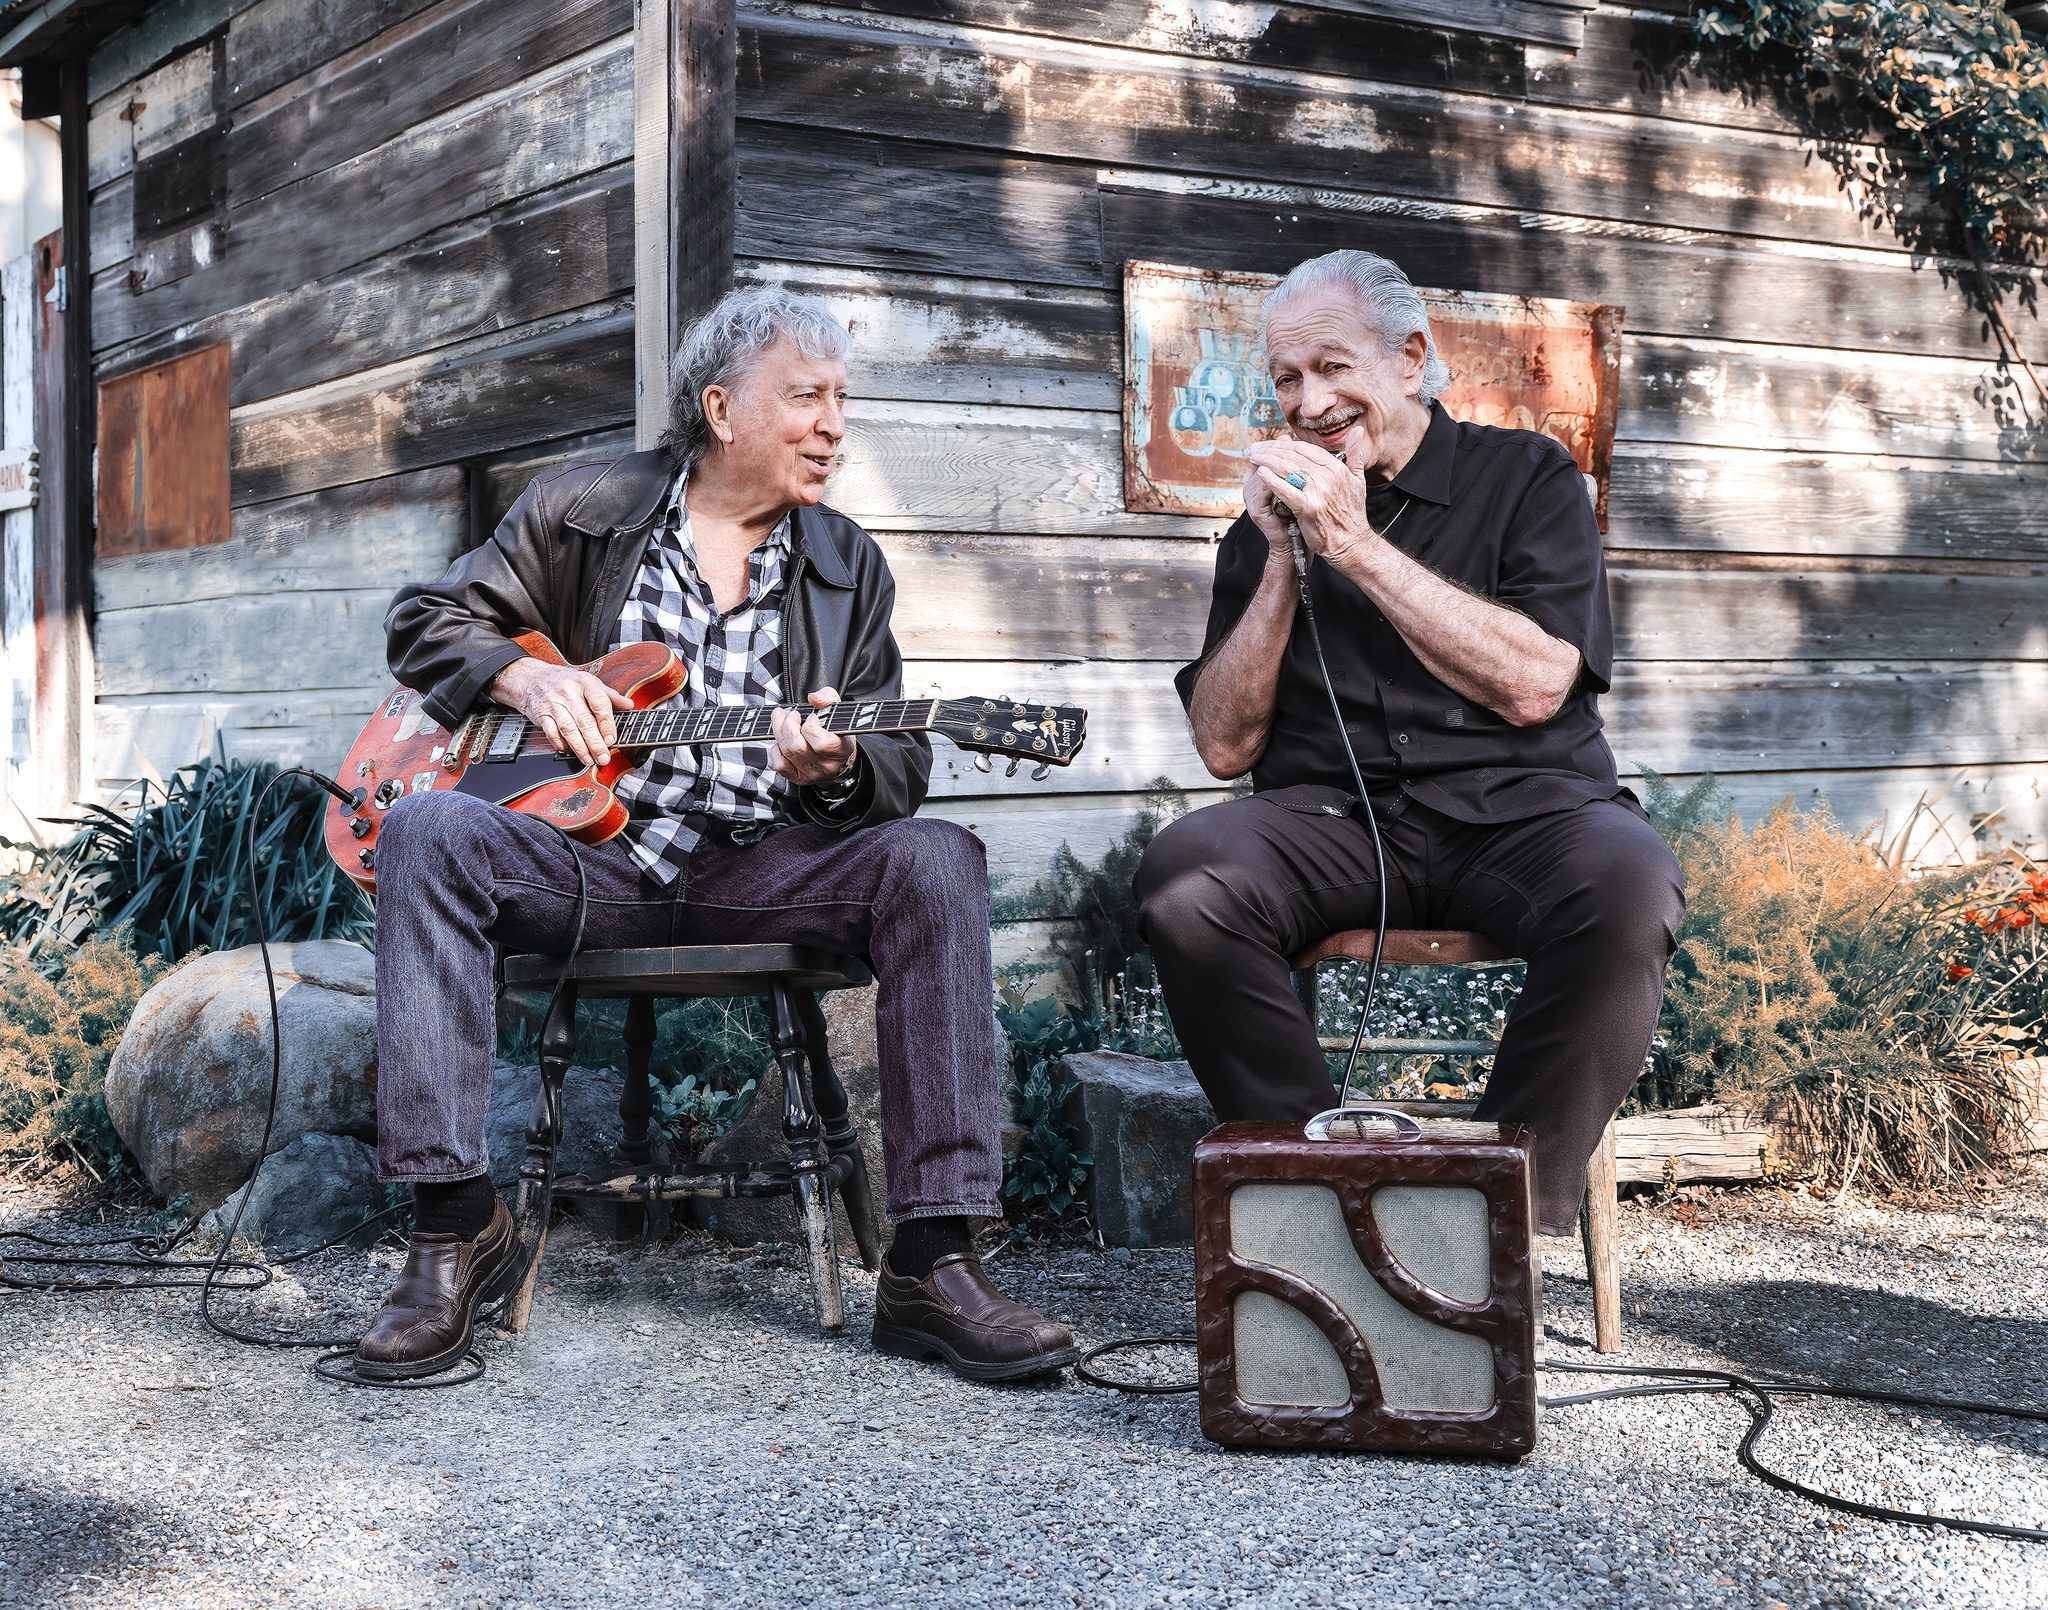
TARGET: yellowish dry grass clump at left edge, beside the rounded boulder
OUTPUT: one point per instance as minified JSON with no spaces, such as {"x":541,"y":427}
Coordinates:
{"x":58,"y":1031}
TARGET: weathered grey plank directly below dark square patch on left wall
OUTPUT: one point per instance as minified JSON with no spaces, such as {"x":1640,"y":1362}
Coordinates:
{"x":542,"y":132}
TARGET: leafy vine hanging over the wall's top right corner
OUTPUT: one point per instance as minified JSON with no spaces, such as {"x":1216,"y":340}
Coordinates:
{"x":1959,"y":85}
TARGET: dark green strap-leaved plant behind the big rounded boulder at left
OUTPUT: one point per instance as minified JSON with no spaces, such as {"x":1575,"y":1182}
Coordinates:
{"x":171,"y":870}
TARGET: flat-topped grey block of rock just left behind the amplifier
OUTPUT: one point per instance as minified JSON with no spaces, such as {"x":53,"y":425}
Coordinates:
{"x":1142,"y":1121}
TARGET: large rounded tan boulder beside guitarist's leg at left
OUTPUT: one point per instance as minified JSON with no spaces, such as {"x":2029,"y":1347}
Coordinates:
{"x":191,"y":1078}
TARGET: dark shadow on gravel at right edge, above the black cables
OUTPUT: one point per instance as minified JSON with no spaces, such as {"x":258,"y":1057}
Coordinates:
{"x":1857,"y":1337}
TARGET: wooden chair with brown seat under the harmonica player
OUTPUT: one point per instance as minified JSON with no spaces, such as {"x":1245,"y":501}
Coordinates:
{"x":1420,"y":947}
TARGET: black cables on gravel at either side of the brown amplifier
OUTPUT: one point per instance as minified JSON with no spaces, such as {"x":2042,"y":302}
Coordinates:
{"x":1758,"y":1400}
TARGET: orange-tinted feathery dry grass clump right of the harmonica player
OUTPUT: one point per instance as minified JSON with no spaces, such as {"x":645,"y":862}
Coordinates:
{"x":1824,"y":980}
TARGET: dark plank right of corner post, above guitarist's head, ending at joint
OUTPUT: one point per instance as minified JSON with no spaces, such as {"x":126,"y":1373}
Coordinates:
{"x":830,"y":198}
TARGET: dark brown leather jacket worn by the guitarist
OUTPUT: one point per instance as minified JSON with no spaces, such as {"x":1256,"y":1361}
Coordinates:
{"x":562,"y":562}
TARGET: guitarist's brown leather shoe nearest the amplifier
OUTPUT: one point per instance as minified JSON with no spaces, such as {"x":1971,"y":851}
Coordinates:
{"x":955,"y":1314}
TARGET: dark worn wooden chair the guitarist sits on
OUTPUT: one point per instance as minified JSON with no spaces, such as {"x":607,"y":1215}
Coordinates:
{"x":824,"y":1152}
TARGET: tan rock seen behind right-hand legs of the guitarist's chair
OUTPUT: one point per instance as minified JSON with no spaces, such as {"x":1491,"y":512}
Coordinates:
{"x":759,"y":1134}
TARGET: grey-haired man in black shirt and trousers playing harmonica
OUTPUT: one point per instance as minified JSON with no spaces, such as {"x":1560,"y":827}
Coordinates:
{"x":1461,"y":589}
